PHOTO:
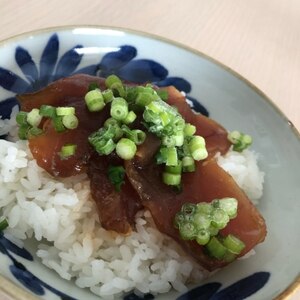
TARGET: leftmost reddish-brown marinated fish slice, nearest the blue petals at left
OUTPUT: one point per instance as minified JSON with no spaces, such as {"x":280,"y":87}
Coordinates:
{"x":46,"y":148}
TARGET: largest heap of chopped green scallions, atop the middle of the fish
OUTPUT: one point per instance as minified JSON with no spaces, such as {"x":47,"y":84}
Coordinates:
{"x":178,"y":139}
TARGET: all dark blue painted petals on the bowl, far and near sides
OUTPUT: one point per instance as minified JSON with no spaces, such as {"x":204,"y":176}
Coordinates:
{"x":123,"y":63}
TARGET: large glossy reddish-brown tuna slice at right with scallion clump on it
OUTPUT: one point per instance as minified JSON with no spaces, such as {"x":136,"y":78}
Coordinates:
{"x":207,"y":183}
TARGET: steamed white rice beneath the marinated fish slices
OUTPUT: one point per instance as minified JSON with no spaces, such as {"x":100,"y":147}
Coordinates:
{"x":62,"y":216}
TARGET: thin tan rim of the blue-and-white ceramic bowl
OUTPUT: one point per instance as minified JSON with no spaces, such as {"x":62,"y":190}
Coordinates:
{"x":13,"y":290}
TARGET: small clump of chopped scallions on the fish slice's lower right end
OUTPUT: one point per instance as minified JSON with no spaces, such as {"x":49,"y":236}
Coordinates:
{"x":203,"y":221}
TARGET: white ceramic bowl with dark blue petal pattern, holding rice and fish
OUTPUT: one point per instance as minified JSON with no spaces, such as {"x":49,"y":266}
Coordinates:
{"x":31,"y":61}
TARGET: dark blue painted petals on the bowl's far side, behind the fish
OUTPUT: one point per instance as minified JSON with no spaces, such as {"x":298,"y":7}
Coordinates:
{"x":122,"y":62}
